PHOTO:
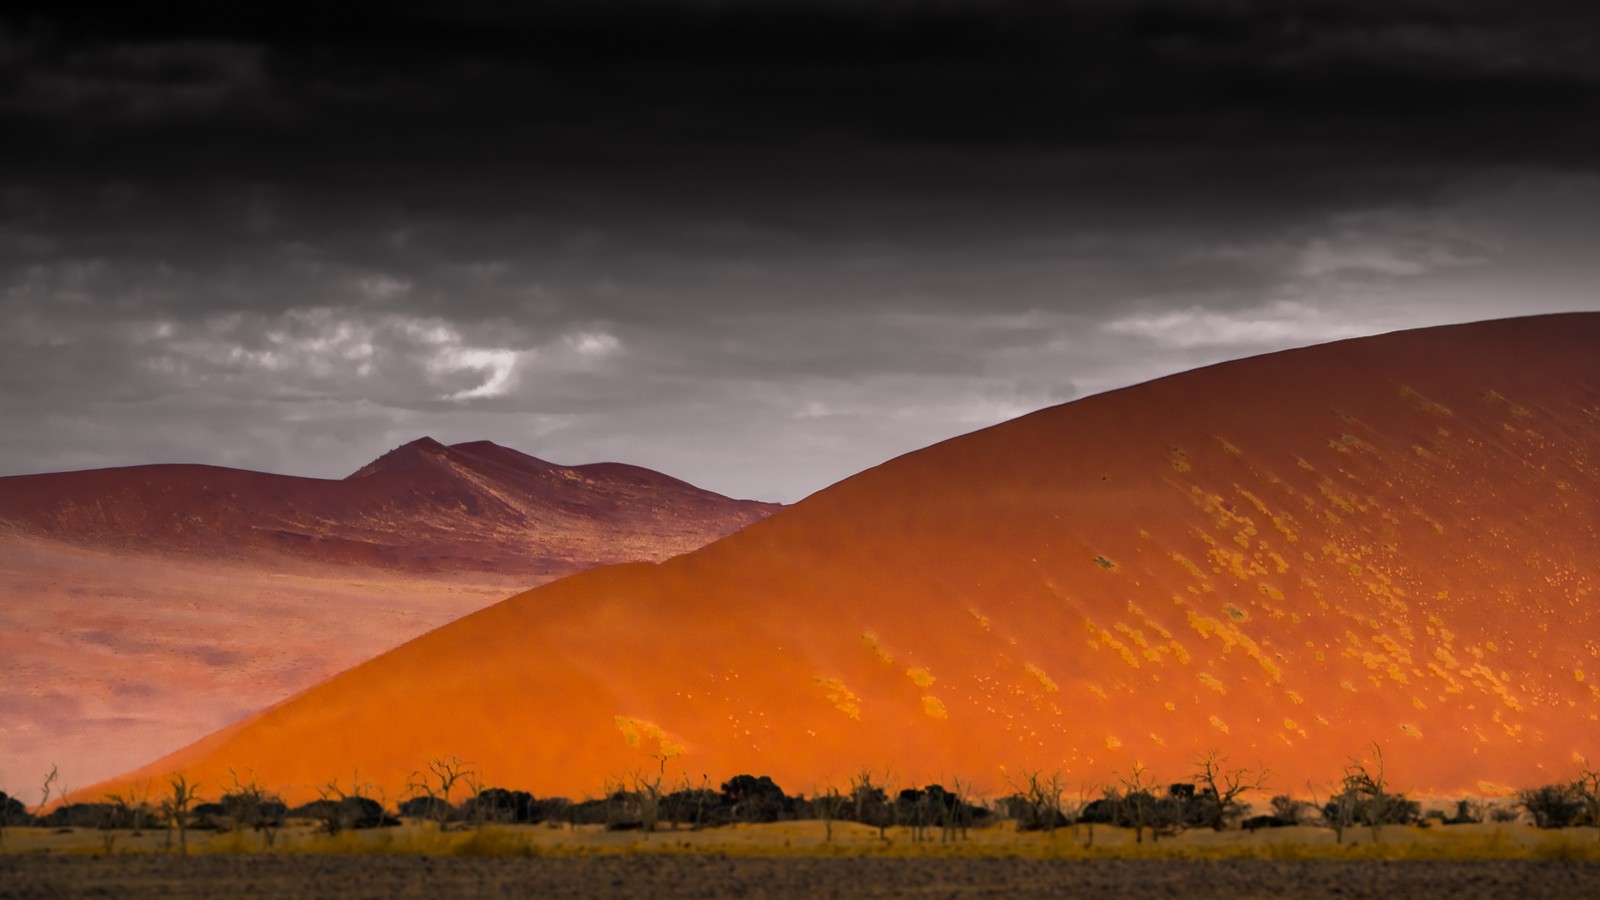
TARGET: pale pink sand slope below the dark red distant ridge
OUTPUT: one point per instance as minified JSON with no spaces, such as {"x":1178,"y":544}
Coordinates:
{"x":114,"y":661}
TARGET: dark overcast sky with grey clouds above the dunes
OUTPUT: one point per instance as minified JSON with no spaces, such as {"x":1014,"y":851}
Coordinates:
{"x":759,"y":246}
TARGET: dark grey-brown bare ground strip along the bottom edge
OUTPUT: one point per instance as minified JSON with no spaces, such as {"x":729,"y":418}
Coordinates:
{"x":294,"y":875}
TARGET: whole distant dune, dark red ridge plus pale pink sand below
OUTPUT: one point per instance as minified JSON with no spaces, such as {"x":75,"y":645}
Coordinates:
{"x":145,"y":608}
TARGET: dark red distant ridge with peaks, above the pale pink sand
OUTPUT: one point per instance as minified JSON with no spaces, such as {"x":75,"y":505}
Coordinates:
{"x":420,"y":508}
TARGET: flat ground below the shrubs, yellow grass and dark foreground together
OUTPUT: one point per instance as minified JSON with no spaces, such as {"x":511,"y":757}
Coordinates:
{"x":796,"y":861}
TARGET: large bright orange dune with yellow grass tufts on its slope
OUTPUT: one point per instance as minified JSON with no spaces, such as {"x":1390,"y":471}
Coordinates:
{"x":1284,"y":558}
